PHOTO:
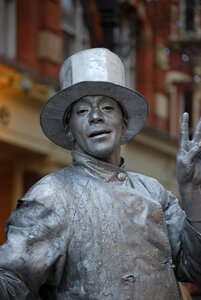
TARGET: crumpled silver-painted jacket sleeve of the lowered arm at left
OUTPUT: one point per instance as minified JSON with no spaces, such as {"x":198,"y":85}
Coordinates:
{"x":35,"y":251}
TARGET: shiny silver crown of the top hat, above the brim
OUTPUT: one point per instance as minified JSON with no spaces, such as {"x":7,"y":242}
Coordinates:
{"x":97,"y":64}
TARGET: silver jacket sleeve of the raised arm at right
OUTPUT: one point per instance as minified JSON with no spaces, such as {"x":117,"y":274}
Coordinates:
{"x":185,"y":242}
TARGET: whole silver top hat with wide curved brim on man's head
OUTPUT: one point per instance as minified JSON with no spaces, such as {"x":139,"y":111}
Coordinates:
{"x":91,"y":72}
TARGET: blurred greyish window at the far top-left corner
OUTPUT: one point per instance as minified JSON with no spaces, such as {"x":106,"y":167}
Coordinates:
{"x":8,"y":28}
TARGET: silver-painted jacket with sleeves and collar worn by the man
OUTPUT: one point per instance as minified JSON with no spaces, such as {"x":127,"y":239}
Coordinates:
{"x":95,"y":231}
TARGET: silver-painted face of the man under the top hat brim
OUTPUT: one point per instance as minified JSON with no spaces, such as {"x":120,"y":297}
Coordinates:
{"x":97,"y":125}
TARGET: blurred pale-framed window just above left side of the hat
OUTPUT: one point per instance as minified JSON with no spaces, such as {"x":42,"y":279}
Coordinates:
{"x":75,"y":33}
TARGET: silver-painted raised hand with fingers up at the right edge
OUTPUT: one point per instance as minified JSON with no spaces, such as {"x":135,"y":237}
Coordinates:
{"x":189,"y":154}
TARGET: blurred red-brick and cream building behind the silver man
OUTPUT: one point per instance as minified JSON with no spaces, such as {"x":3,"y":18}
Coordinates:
{"x":159,"y":43}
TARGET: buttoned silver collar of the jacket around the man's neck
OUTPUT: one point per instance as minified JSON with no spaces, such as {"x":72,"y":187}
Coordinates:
{"x":99,"y":168}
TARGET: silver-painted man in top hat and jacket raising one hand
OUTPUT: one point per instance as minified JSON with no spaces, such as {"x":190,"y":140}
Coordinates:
{"x":93,"y":230}
